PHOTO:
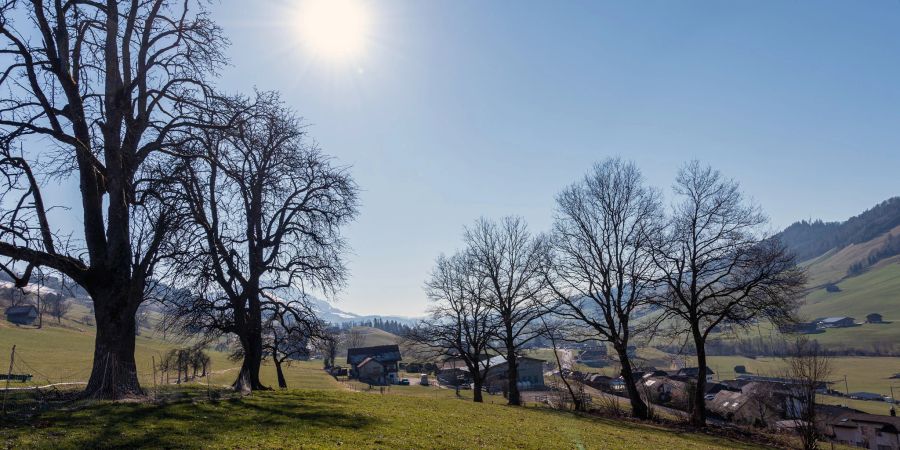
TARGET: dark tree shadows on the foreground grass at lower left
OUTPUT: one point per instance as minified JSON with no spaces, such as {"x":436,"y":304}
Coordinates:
{"x":190,"y":424}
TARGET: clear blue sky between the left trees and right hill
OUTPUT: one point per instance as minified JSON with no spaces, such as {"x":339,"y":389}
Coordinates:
{"x":458,"y":109}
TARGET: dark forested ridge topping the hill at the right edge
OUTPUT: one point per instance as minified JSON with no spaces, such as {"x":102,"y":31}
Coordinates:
{"x":812,"y":239}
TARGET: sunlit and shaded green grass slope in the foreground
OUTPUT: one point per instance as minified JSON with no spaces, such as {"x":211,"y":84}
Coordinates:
{"x":330,"y":416}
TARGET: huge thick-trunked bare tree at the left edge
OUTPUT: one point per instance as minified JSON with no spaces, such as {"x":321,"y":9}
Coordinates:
{"x":99,"y":91}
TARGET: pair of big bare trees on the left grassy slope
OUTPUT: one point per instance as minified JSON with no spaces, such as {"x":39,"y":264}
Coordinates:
{"x":216,"y":205}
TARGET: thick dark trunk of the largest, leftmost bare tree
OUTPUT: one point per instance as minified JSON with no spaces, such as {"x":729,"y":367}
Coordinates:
{"x":114,"y":373}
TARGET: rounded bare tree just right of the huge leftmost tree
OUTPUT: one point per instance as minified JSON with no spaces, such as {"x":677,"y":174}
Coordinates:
{"x":265,"y":208}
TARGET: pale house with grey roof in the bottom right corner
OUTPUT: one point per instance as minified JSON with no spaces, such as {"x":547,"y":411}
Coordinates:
{"x":867,"y":431}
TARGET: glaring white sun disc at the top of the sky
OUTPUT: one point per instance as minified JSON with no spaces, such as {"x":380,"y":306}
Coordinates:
{"x":334,"y":29}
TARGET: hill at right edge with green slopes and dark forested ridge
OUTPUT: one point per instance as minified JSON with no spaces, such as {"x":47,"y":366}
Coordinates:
{"x":854,"y":270}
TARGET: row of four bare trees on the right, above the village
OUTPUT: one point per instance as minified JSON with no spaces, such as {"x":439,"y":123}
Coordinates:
{"x":616,"y":266}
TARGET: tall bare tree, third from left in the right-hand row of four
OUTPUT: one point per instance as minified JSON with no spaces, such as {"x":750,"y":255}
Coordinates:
{"x":602,"y":270}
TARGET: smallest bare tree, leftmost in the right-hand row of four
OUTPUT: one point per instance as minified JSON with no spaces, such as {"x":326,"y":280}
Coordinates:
{"x":461,"y":323}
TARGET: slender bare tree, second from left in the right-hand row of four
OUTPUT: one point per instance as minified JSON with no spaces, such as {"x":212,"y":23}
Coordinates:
{"x":512,"y":264}
